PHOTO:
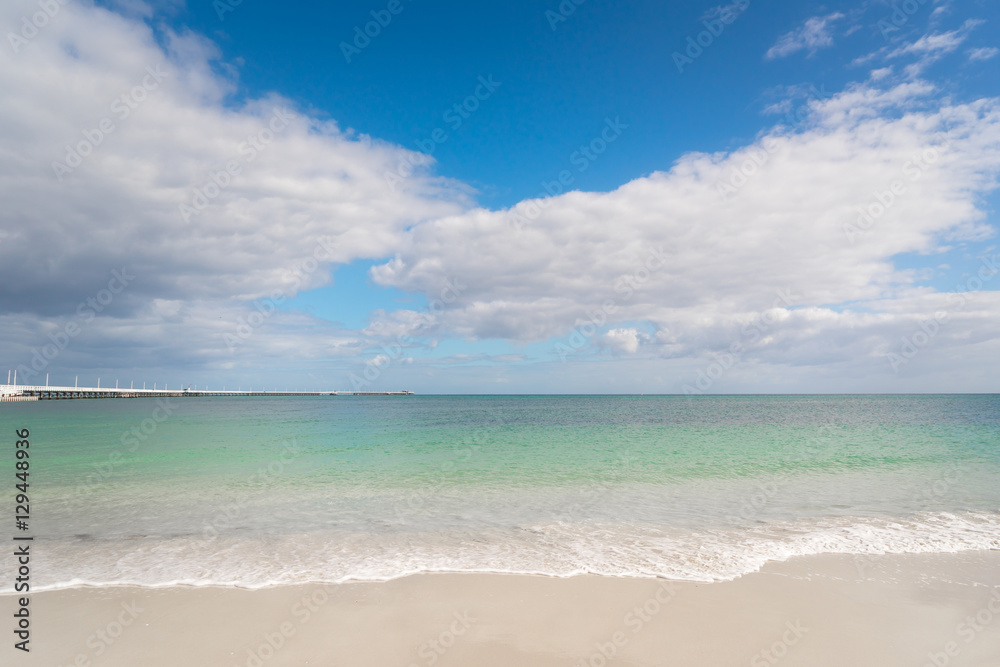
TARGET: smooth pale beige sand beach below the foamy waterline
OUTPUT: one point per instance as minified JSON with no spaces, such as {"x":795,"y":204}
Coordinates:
{"x":828,"y":609}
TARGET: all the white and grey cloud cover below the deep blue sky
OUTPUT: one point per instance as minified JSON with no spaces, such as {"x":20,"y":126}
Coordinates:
{"x":779,"y":247}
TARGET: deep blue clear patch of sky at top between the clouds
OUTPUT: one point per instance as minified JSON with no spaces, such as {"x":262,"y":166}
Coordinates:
{"x":558,"y":85}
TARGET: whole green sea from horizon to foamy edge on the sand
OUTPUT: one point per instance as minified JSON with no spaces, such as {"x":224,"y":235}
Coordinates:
{"x":256,"y":492}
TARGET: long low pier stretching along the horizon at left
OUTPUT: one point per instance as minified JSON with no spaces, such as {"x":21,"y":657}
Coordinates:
{"x":10,"y":392}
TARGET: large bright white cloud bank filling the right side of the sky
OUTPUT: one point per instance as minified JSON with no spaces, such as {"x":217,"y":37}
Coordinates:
{"x":778,"y":224}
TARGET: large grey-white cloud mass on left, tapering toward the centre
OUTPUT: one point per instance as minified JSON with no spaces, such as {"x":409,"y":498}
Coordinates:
{"x":125,"y":150}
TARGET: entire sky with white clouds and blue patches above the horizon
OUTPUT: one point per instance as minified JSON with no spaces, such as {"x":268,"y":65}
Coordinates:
{"x":834,"y":104}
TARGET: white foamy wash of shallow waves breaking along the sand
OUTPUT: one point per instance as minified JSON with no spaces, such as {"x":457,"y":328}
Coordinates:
{"x":318,"y":558}
